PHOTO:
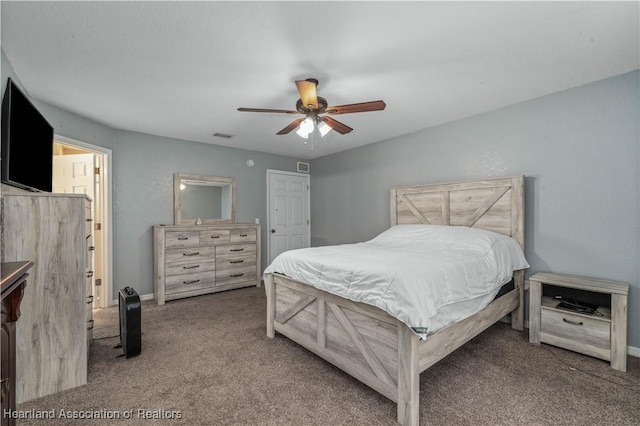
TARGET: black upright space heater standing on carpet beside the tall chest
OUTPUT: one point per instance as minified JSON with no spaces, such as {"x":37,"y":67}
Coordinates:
{"x":130,"y":322}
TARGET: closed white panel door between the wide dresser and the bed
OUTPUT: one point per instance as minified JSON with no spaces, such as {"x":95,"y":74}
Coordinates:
{"x":288,"y":212}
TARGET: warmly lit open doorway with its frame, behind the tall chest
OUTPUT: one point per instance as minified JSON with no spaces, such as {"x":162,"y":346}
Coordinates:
{"x":81,"y":168}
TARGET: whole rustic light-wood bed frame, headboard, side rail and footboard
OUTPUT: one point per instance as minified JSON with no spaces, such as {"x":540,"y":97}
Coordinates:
{"x":374,"y":347}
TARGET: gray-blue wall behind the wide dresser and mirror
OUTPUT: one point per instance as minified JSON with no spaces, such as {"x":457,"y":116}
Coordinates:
{"x":143,"y":171}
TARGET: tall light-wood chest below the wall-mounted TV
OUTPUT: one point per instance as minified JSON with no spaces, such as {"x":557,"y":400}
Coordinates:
{"x":54,"y":332}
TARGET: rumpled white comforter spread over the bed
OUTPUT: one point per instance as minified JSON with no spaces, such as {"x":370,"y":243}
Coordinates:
{"x":427,"y":276}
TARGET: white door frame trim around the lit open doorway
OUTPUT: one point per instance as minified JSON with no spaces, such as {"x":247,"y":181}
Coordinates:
{"x":105,"y":189}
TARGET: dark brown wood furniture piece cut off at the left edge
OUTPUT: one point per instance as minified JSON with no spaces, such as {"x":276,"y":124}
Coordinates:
{"x":14,"y":281}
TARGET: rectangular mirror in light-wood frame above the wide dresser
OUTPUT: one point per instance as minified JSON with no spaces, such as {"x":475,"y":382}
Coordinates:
{"x":204,"y":199}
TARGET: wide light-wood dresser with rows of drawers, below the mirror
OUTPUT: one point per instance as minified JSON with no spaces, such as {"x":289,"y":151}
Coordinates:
{"x":201,"y":259}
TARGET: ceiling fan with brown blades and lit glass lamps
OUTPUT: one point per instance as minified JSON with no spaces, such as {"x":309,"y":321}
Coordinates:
{"x":312,"y":106}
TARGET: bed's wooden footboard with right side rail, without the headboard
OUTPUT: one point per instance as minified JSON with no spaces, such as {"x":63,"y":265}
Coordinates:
{"x":368,"y":343}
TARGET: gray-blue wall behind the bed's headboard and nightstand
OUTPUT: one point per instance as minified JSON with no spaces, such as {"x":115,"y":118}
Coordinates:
{"x":578,"y":148}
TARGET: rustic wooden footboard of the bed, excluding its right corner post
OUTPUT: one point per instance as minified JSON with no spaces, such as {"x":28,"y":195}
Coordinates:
{"x":361,"y":340}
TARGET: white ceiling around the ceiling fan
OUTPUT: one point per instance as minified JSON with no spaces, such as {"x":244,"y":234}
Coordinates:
{"x":181,"y":69}
